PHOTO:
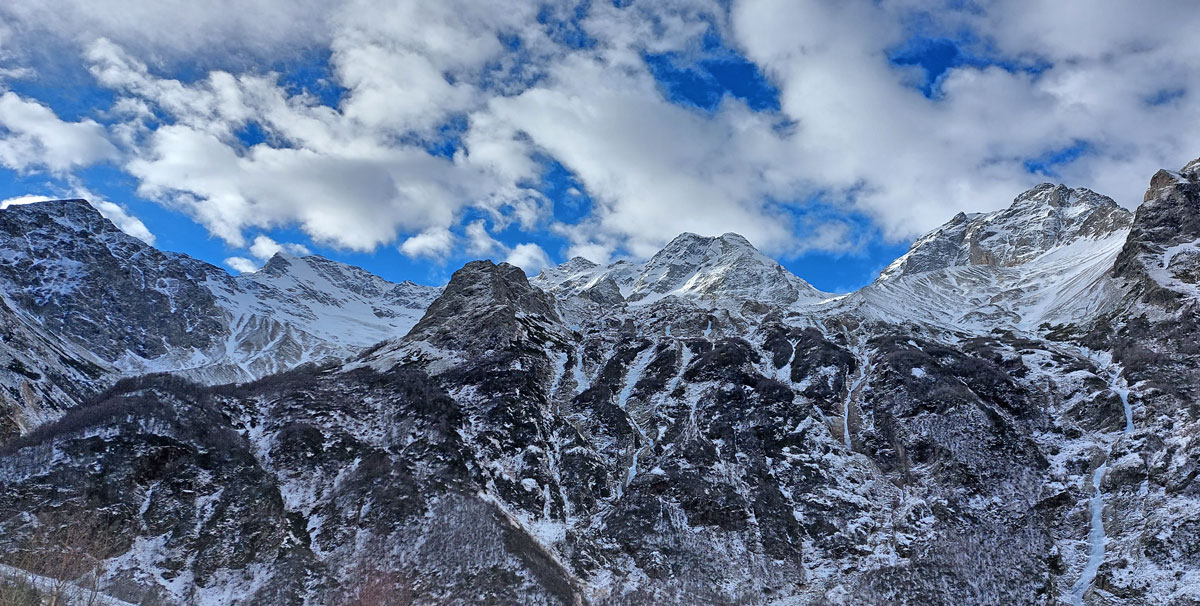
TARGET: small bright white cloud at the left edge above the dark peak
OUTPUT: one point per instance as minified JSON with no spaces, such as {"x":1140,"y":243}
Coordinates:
{"x":33,"y":136}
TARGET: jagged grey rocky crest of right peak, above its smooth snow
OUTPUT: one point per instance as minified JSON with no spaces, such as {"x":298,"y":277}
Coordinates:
{"x":1039,"y":221}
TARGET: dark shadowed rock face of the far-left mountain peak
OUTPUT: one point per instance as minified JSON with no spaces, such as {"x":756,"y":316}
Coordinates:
{"x":109,"y":292}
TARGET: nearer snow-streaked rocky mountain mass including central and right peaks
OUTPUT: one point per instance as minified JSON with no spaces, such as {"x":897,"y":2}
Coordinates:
{"x":1006,"y":417}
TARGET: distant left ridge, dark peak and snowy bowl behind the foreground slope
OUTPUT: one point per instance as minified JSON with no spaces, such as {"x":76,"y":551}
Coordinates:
{"x":133,"y":309}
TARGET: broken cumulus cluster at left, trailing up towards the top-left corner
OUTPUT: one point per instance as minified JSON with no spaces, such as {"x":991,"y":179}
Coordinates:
{"x":340,"y":179}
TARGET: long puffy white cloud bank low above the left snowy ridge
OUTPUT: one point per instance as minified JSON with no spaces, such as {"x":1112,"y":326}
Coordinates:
{"x":351,"y":201}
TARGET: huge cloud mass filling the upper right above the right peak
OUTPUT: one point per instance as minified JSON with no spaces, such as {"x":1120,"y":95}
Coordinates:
{"x":909,"y":161}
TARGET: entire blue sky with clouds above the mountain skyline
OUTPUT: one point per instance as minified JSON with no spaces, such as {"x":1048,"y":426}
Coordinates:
{"x":411,"y":137}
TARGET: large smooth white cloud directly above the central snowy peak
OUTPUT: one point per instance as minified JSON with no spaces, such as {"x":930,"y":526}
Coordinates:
{"x":655,"y":169}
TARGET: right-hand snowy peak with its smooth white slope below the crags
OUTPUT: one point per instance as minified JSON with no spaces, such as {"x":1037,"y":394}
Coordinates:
{"x":1046,"y":260}
